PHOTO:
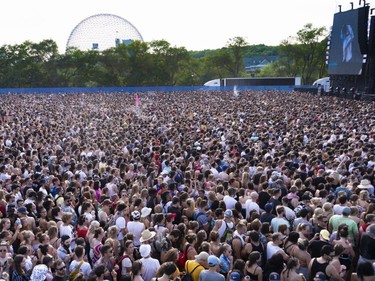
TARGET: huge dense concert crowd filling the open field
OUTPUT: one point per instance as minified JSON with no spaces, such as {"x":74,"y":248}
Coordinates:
{"x":191,"y":186}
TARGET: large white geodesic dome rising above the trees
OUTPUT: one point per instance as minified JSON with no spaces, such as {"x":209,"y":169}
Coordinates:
{"x":102,"y":31}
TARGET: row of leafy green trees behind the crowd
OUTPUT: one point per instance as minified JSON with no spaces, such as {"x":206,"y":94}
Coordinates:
{"x":157,"y":63}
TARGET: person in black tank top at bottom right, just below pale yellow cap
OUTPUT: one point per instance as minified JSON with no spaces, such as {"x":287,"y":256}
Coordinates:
{"x":323,"y":264}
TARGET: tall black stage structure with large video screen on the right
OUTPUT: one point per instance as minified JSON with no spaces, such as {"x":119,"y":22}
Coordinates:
{"x":351,"y":54}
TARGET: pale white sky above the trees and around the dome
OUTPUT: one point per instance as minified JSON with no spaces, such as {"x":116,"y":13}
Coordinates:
{"x":194,"y":24}
